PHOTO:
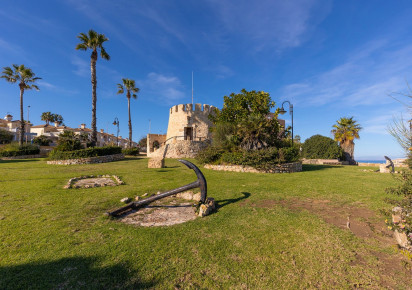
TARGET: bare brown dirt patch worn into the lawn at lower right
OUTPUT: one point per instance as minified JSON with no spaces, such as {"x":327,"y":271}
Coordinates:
{"x":362,"y":222}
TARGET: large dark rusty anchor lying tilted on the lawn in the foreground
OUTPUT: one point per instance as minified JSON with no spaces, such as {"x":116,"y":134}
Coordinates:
{"x":200,"y":182}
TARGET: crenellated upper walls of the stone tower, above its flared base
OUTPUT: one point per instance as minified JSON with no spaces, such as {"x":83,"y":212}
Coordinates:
{"x":189,"y":116}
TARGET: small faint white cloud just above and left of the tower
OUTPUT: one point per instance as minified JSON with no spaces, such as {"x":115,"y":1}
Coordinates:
{"x":165,"y":89}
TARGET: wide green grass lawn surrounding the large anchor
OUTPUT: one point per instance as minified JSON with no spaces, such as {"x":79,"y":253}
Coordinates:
{"x":52,"y":237}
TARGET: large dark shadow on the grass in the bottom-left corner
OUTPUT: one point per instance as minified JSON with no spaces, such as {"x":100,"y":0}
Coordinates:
{"x":70,"y":273}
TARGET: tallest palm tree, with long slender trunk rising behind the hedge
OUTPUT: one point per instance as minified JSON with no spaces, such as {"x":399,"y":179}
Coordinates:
{"x":94,"y":41}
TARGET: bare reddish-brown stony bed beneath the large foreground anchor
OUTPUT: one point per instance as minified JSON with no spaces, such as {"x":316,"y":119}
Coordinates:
{"x":165,"y":212}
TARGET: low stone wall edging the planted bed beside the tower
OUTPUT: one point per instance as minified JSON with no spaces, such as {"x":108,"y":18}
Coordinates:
{"x":281,"y":168}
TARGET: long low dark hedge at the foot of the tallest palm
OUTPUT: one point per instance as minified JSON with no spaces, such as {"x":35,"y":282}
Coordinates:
{"x":84,"y":153}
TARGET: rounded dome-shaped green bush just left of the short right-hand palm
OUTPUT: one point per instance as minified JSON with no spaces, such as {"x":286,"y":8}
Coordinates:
{"x":321,"y":147}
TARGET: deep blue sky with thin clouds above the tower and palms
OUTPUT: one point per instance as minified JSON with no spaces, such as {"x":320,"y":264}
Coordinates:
{"x":329,"y":58}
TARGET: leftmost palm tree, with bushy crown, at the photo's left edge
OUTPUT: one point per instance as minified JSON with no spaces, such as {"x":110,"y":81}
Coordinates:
{"x":26,"y":78}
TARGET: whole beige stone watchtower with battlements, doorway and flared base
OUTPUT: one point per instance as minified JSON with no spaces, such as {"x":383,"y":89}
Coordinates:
{"x":187,"y":132}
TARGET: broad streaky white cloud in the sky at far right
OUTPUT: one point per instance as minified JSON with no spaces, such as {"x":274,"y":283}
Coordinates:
{"x":365,"y":78}
